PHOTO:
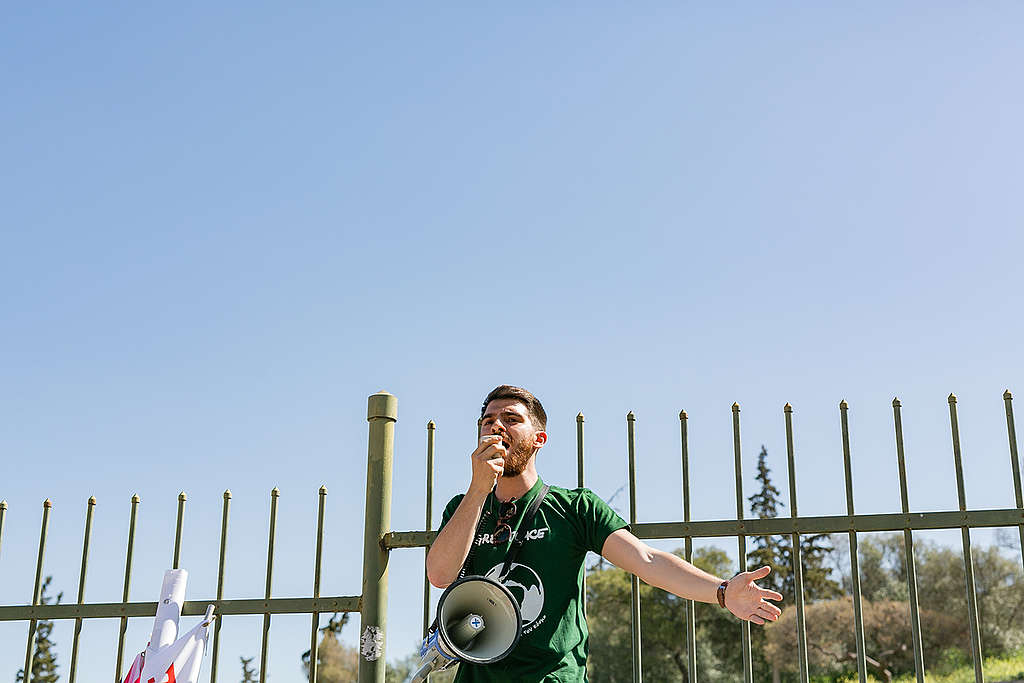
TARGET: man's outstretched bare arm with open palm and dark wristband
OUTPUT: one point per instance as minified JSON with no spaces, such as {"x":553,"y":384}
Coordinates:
{"x":744,"y":599}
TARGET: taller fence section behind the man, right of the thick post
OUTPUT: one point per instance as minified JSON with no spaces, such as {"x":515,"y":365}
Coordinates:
{"x":795,"y":527}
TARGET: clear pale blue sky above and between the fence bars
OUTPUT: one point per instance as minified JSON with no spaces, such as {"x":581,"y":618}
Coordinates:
{"x":225,"y":227}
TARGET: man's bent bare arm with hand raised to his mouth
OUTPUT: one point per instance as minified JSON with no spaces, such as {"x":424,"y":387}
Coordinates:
{"x":453,"y":543}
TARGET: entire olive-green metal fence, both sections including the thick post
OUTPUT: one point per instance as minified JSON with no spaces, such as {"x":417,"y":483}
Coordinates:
{"x":379,"y":541}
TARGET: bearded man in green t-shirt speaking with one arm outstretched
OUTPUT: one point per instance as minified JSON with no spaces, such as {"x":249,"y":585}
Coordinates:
{"x":547,"y":577}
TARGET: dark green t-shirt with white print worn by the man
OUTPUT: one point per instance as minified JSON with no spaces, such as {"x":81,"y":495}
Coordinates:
{"x":546,"y":579}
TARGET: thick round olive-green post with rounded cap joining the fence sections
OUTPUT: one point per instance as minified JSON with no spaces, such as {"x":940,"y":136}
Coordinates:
{"x":382,"y":411}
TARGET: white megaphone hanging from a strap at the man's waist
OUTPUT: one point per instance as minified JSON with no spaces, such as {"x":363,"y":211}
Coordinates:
{"x":479,"y":621}
